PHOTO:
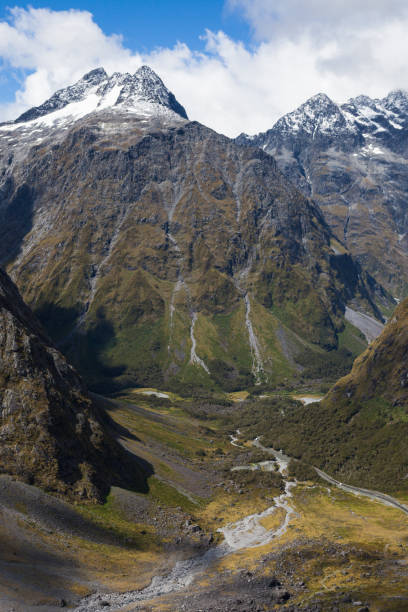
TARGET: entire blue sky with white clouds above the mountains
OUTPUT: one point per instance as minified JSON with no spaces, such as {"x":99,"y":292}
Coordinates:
{"x":235,"y":65}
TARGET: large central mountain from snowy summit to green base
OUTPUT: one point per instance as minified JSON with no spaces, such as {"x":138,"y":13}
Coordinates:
{"x":155,"y":250}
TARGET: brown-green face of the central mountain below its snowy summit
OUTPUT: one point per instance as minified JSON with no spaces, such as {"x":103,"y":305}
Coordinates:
{"x":123,"y":339}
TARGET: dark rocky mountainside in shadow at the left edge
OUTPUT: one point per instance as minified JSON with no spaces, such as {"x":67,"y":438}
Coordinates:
{"x":51,"y":434}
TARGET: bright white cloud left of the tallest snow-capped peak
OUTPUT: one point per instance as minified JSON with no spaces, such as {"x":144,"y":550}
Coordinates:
{"x":56,"y":48}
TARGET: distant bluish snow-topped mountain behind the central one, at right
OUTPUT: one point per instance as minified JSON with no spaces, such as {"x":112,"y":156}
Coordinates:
{"x":352,"y":159}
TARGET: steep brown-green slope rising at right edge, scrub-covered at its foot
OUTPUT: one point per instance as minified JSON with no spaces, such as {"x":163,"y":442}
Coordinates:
{"x":359,"y":431}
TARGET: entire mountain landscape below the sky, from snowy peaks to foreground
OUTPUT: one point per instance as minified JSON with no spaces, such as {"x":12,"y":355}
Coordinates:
{"x":203,"y":383}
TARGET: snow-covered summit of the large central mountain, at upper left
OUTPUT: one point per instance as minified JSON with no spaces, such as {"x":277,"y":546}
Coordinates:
{"x":142,"y":92}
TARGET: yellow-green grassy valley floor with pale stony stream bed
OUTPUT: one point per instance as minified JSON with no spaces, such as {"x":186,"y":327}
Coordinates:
{"x":322,"y":548}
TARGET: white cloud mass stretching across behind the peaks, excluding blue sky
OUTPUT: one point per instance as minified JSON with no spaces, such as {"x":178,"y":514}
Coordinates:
{"x":341,"y":47}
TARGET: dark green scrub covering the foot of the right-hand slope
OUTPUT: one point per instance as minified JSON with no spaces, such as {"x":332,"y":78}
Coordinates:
{"x":361,"y":444}
